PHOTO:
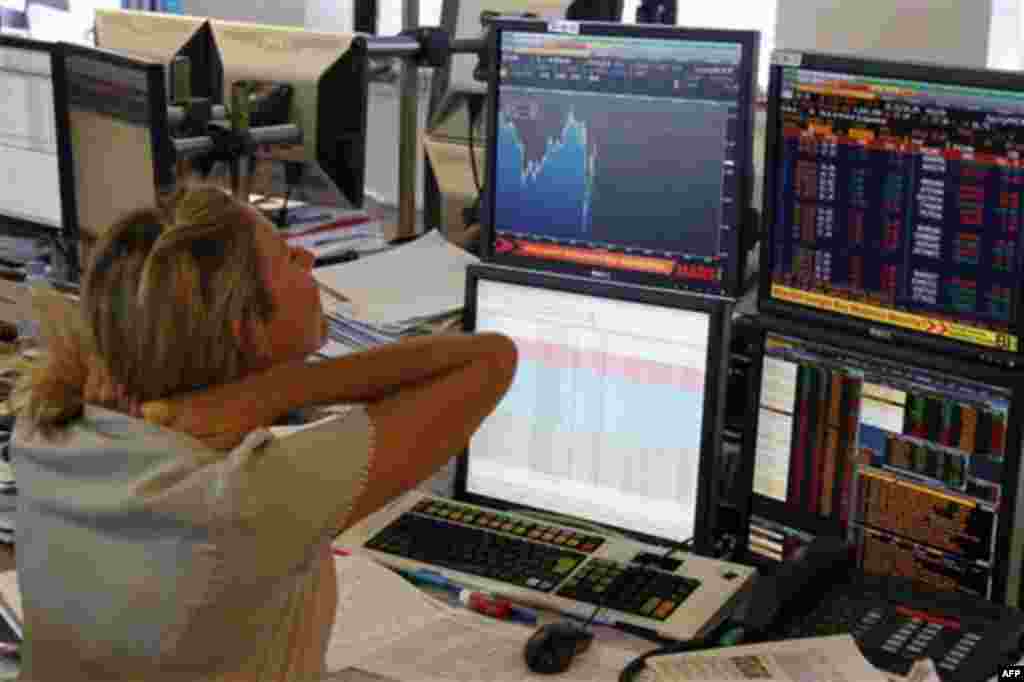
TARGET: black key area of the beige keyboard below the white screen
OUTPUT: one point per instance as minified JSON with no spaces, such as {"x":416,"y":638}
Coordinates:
{"x":537,"y":557}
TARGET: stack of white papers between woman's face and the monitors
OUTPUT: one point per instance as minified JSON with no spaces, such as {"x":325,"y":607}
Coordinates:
{"x":393,"y":293}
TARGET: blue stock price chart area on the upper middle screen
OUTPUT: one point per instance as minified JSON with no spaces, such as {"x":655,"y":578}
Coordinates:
{"x":628,"y":173}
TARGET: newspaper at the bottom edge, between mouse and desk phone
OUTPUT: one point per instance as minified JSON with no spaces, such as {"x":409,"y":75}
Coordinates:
{"x":809,"y":660}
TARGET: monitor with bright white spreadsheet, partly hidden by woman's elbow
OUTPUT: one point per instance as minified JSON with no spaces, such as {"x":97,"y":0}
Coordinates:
{"x":616,"y":410}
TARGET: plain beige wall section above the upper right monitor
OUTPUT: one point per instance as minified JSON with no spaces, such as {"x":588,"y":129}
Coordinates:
{"x":949,"y":32}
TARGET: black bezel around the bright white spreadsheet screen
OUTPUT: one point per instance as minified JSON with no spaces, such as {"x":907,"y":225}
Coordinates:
{"x":719,"y":311}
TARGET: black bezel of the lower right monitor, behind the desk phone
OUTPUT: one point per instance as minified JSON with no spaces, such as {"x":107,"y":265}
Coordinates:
{"x":1004,"y":575}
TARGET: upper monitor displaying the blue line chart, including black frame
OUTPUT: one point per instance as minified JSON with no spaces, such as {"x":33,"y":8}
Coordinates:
{"x":621,"y":152}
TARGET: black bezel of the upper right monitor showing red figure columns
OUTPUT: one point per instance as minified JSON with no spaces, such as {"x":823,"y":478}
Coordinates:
{"x":864,"y":328}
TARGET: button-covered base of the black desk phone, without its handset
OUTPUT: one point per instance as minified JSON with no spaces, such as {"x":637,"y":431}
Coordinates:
{"x":897,"y":622}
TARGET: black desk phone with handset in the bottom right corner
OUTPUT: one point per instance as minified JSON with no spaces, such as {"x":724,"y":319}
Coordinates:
{"x":894,"y":621}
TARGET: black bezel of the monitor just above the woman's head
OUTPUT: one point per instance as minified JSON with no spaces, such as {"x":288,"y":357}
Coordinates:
{"x":164,"y":157}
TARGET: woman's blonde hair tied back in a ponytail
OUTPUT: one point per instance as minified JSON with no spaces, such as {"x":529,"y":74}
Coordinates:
{"x":163,"y":303}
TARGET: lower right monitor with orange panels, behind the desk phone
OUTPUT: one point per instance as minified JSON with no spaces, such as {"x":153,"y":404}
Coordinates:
{"x":915,"y":458}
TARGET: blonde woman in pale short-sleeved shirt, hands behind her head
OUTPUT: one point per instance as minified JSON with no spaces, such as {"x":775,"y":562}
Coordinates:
{"x":192,"y":545}
